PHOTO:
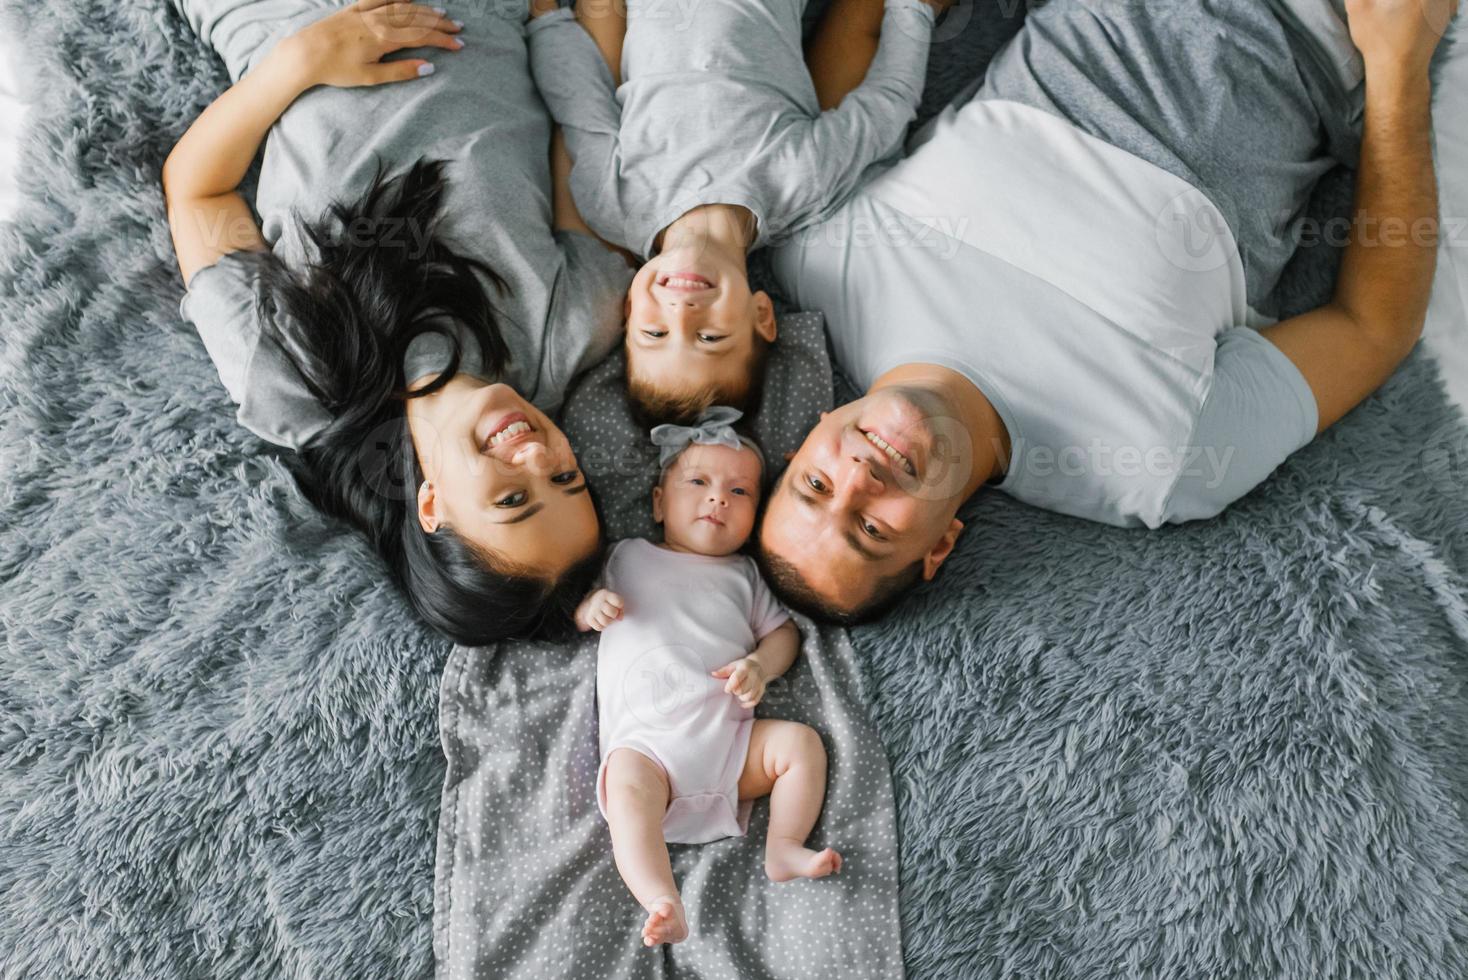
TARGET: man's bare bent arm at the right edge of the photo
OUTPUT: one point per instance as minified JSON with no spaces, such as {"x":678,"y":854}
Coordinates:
{"x":1353,"y":344}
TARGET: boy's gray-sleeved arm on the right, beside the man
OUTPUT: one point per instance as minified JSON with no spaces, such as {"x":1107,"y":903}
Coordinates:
{"x":873,"y":120}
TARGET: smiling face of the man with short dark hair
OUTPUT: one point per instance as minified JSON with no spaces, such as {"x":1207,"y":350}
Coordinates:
{"x":873,"y":489}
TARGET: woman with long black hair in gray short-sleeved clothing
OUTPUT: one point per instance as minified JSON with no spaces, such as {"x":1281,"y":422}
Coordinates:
{"x":403,"y":313}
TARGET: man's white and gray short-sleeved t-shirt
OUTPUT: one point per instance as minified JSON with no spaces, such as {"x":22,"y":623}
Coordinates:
{"x":1089,"y":240}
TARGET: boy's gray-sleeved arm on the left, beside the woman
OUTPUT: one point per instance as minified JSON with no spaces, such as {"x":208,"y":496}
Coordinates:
{"x":581,"y":93}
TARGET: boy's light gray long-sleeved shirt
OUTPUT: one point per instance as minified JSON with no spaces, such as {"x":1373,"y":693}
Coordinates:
{"x":717,"y":108}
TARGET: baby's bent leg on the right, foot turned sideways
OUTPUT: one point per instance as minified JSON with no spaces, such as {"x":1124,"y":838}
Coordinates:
{"x":788,"y":762}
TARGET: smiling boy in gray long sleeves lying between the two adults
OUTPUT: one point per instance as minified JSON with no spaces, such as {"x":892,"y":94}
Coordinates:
{"x":714,"y":146}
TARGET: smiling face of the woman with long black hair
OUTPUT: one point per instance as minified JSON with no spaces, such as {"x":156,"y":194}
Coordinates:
{"x":503,"y":476}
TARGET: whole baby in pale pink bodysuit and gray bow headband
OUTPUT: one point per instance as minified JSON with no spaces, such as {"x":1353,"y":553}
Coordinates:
{"x":691,"y":637}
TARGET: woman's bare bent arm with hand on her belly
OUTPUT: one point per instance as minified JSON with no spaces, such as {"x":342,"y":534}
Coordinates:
{"x":208,"y":215}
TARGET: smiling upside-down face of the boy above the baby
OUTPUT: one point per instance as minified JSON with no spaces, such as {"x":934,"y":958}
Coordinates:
{"x":692,"y":322}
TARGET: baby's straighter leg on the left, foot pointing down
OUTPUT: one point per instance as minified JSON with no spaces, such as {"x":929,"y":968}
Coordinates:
{"x":636,"y":802}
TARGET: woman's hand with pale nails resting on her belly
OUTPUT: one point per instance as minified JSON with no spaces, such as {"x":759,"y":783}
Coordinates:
{"x":346,"y":49}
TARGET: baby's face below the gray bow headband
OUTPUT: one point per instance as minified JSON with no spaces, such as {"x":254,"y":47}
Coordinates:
{"x":708,"y":498}
